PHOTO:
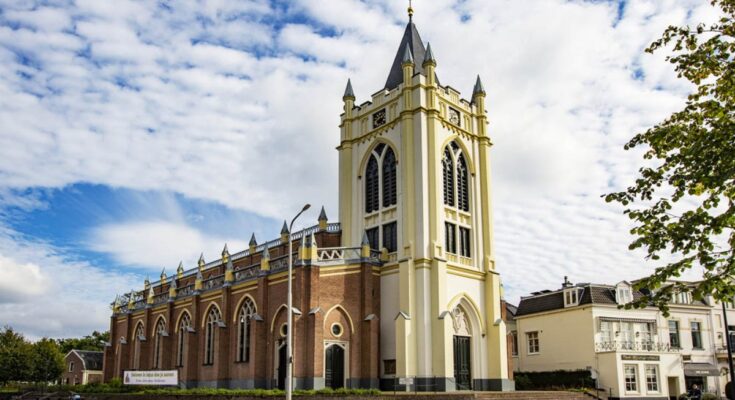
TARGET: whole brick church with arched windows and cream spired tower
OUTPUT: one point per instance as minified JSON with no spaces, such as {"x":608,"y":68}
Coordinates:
{"x":401,"y":294}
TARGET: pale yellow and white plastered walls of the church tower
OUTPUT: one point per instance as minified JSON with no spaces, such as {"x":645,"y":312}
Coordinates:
{"x":415,"y":285}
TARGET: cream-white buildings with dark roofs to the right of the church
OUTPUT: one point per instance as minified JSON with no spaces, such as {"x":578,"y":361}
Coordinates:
{"x":635,"y":353}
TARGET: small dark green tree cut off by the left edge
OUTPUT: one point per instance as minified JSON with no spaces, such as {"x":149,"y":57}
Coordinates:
{"x":15,"y":357}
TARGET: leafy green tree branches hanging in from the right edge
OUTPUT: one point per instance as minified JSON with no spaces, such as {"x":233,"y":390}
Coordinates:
{"x":683,"y":204}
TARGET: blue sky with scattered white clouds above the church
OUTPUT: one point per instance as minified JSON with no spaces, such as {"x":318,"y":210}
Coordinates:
{"x":137,"y":134}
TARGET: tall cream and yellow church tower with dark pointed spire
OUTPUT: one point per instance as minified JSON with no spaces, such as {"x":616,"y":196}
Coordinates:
{"x":414,"y":183}
